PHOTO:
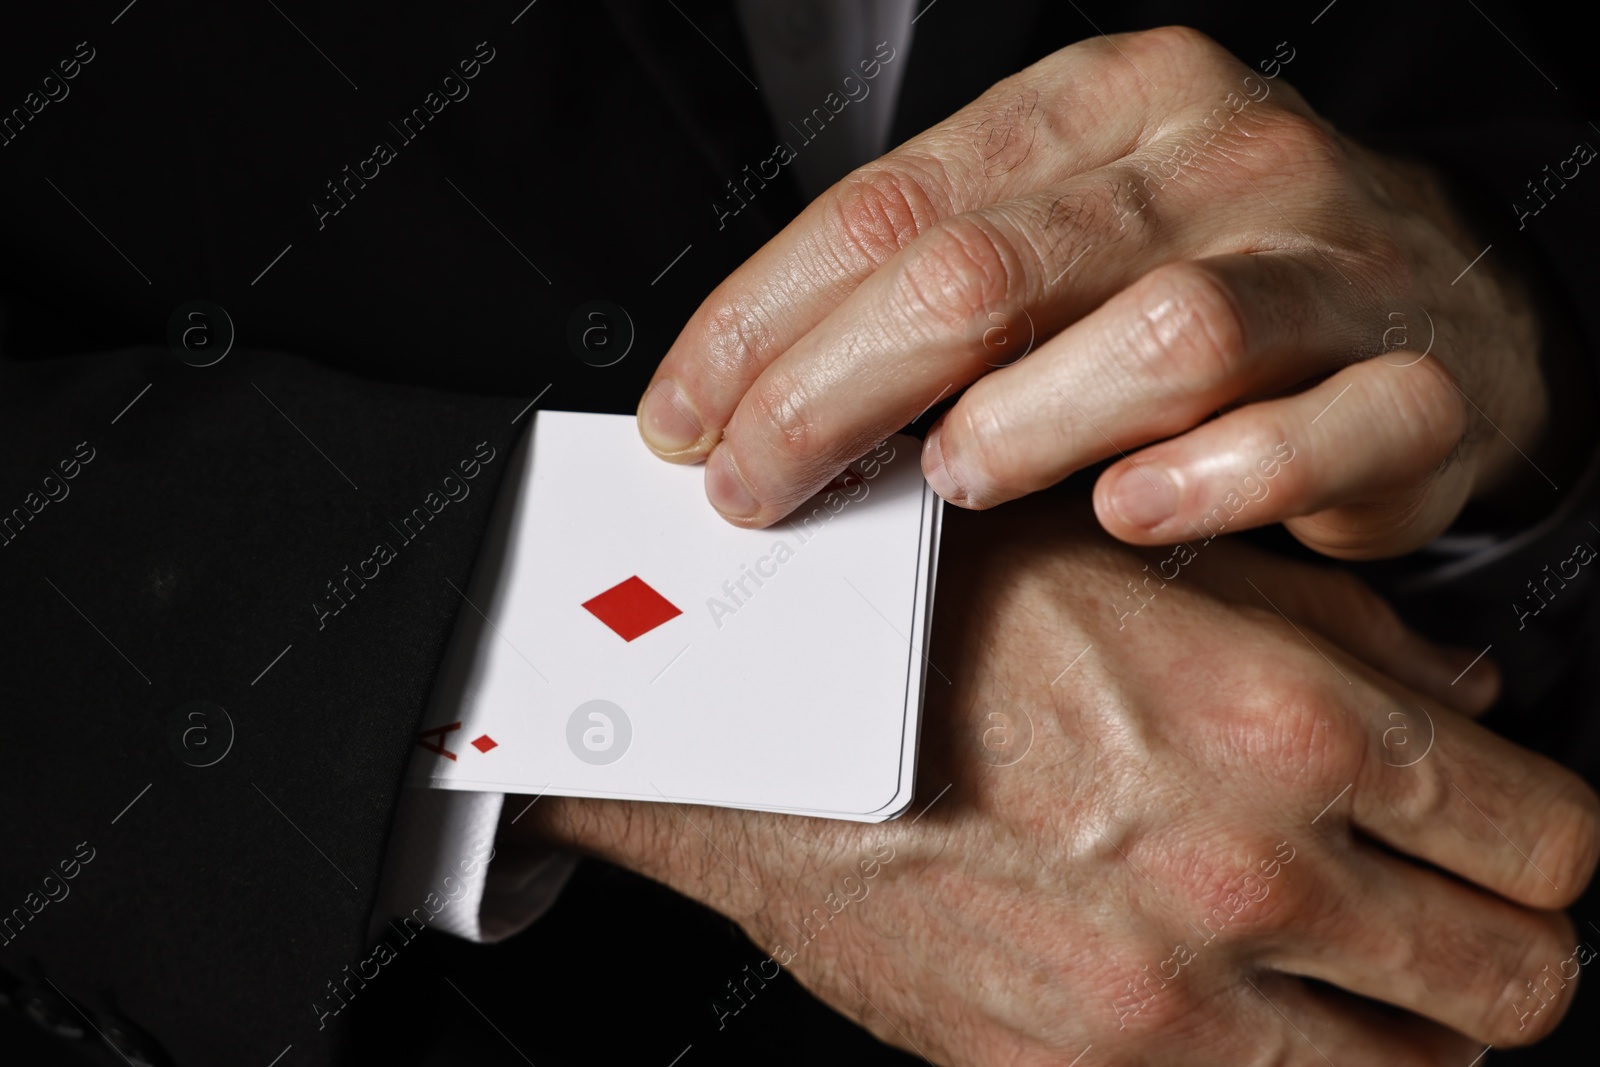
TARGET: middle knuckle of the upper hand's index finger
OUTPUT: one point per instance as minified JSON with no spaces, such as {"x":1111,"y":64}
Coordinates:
{"x":882,"y":209}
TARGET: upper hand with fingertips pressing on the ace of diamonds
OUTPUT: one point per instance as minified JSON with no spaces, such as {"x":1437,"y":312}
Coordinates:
{"x":1193,"y":257}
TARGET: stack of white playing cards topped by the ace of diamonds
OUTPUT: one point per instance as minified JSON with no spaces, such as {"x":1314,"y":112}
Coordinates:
{"x":625,"y":641}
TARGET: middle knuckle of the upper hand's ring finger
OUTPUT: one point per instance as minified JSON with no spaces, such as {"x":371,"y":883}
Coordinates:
{"x":1191,"y":330}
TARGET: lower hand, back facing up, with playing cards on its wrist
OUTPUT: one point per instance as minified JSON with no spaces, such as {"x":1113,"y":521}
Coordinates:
{"x":1145,"y":833}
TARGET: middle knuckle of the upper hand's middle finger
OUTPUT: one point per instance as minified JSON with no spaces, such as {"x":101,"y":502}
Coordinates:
{"x":959,"y":271}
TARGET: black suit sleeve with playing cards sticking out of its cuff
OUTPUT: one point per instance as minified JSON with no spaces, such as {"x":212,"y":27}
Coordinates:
{"x":278,"y":543}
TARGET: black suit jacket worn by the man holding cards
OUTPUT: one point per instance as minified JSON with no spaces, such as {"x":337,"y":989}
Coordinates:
{"x":404,"y":209}
